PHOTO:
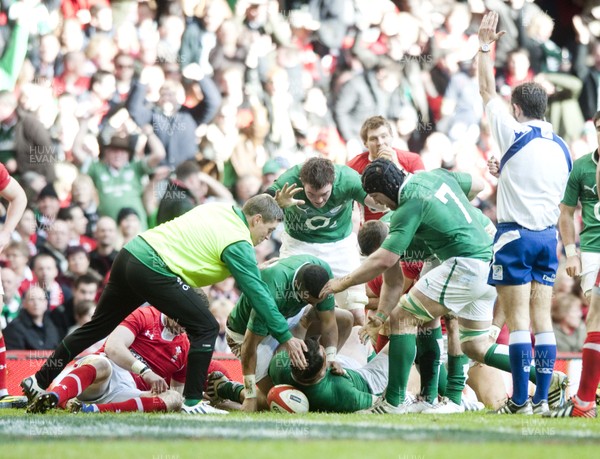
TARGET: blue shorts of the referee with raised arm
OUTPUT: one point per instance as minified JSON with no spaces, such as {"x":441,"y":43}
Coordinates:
{"x":522,"y":256}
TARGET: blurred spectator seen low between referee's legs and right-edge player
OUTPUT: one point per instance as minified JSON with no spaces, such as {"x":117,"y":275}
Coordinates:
{"x":567,"y":323}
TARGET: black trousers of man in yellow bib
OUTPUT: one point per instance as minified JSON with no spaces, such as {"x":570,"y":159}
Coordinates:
{"x":131,"y":284}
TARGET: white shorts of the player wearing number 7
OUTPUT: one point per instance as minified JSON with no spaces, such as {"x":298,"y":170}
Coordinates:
{"x":460,"y":284}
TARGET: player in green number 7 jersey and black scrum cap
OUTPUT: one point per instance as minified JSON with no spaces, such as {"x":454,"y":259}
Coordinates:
{"x":431,"y":209}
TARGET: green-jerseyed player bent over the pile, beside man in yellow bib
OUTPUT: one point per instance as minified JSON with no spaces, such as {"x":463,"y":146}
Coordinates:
{"x":293,"y":283}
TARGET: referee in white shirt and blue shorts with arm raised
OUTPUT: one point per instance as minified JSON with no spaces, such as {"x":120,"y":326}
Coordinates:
{"x":533,"y":172}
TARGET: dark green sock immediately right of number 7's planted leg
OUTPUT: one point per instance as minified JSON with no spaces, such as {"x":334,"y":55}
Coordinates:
{"x":429,"y":353}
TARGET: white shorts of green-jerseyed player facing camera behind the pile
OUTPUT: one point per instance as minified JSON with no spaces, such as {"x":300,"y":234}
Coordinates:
{"x":343,"y":257}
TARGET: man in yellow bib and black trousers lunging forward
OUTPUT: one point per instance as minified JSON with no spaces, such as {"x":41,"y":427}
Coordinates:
{"x":162,"y":266}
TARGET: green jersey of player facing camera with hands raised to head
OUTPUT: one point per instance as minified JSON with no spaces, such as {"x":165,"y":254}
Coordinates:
{"x":332,"y":222}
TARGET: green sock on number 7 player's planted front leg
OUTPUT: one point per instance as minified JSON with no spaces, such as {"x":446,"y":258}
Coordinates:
{"x":402,"y":355}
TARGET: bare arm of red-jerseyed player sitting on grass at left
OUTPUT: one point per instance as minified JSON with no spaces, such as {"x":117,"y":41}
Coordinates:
{"x":117,"y":349}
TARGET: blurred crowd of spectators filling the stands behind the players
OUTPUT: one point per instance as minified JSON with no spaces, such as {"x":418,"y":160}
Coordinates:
{"x":106,"y":109}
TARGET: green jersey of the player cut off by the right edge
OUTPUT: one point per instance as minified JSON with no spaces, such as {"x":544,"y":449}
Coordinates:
{"x":581,"y":186}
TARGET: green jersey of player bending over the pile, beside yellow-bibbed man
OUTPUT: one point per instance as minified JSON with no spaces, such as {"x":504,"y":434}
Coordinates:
{"x":279,"y":279}
